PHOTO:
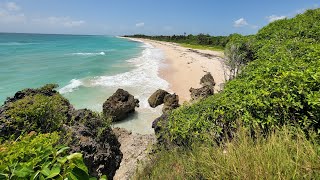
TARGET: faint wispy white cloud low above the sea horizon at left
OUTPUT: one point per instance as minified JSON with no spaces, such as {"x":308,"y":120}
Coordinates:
{"x":59,"y":21}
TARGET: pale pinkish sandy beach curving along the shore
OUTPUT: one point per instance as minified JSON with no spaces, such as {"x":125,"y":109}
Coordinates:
{"x":184,"y":67}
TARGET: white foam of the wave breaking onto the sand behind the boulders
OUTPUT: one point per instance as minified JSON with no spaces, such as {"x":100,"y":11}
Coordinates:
{"x":143,"y":79}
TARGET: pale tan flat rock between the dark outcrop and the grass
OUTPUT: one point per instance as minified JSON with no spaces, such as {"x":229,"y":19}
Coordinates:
{"x":135,"y":149}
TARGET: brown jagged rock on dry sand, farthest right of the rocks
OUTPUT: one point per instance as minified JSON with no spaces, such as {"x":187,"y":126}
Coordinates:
{"x":207,"y":82}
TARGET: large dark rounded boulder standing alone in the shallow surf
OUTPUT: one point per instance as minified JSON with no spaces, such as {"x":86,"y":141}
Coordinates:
{"x":119,"y":105}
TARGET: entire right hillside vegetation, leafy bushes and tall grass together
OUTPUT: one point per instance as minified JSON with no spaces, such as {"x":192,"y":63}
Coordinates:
{"x":264,"y":124}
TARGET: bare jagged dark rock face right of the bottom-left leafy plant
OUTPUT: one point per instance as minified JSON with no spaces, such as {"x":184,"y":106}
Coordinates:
{"x":101,"y":152}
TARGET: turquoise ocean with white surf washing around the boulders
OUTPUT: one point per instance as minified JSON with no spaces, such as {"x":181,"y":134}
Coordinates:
{"x":87,"y":68}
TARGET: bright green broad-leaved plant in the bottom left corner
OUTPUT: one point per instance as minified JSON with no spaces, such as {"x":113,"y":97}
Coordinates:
{"x":39,"y":157}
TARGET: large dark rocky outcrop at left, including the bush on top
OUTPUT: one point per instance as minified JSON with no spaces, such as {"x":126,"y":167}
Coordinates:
{"x":82,"y":130}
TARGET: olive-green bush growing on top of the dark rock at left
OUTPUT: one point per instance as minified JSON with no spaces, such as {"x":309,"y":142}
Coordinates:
{"x":35,"y":113}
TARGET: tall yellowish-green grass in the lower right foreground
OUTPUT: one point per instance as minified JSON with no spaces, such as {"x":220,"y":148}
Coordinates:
{"x":285,"y":154}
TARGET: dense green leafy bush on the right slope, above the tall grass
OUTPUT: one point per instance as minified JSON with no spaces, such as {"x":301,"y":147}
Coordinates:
{"x":280,"y":86}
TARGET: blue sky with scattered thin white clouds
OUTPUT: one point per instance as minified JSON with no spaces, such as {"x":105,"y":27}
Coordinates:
{"x":119,"y":17}
